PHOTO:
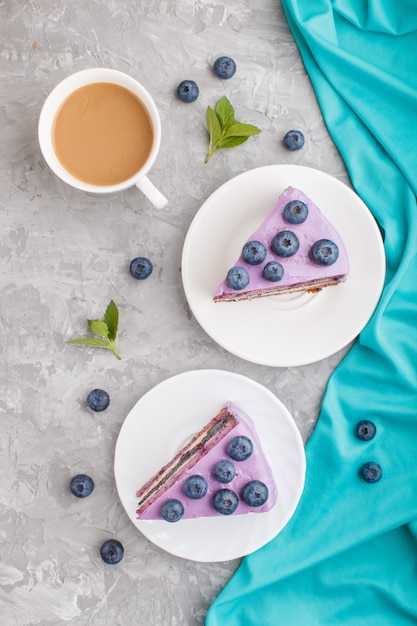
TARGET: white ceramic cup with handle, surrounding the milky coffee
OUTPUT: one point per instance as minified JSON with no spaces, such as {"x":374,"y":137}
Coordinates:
{"x":46,"y":126}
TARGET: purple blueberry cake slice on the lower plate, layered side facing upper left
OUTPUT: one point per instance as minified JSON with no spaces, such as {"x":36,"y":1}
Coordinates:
{"x":221,"y":471}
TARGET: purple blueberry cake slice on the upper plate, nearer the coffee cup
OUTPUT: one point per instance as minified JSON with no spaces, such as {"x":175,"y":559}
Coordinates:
{"x":295,"y":248}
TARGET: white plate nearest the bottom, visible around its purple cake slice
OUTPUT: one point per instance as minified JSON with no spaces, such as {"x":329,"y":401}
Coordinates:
{"x":167,"y":417}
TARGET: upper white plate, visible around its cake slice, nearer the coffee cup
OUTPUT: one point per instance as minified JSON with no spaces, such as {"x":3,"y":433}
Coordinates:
{"x":286,"y":330}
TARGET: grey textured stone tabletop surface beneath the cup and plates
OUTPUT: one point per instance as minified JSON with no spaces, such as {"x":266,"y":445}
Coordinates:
{"x":64,"y":254}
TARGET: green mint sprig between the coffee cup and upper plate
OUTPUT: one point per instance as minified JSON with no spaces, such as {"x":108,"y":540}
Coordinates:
{"x":224,"y":130}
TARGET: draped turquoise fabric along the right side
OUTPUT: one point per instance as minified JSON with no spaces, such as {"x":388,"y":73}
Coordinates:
{"x":349,"y":555}
